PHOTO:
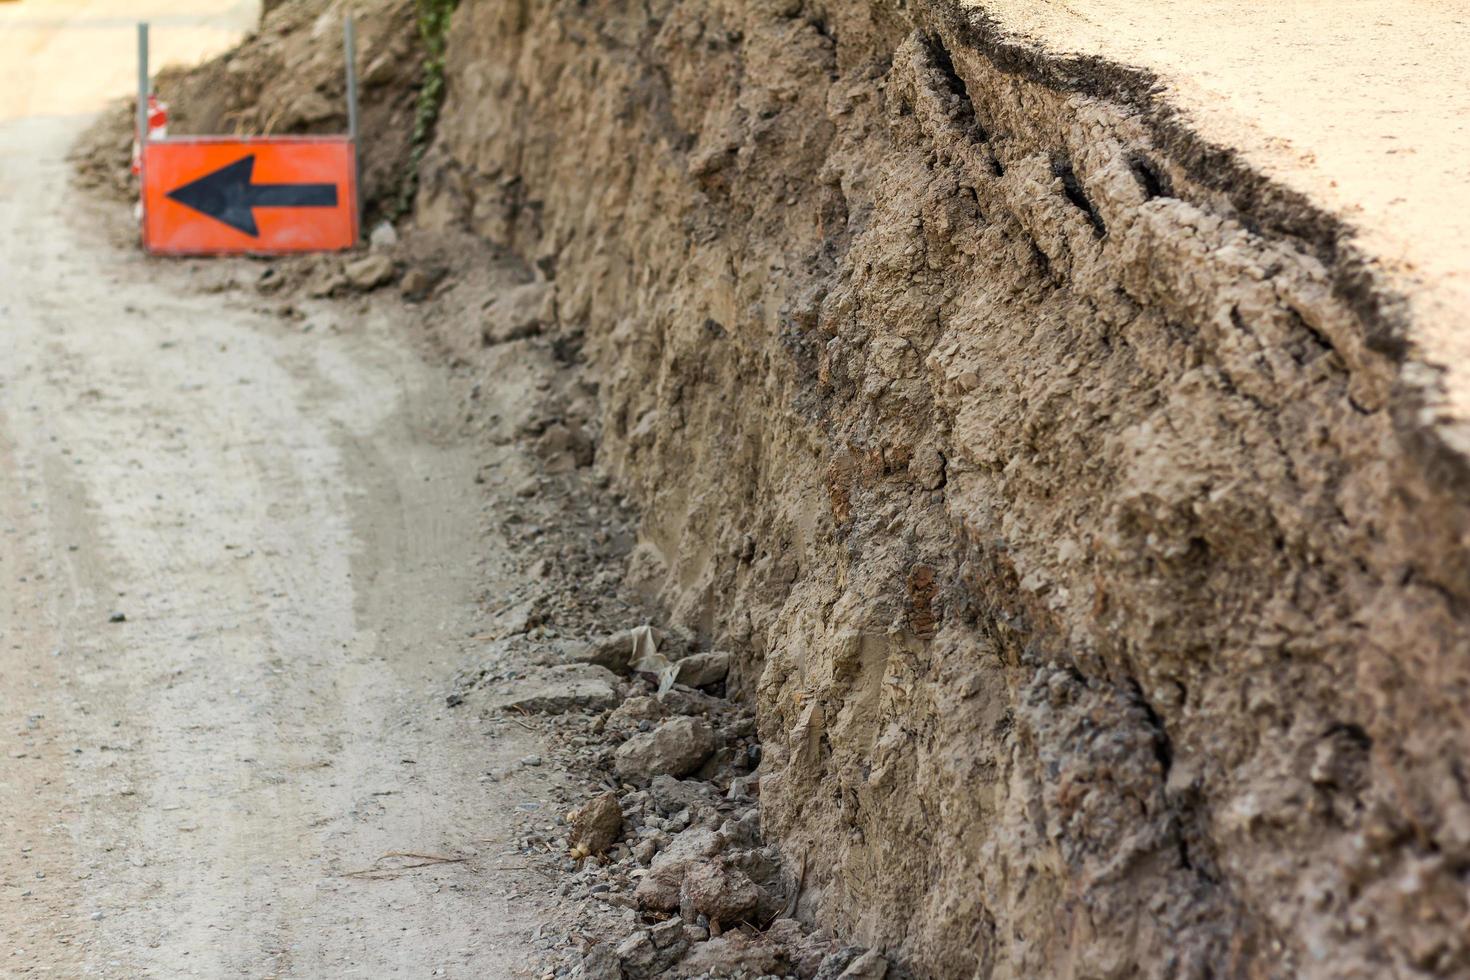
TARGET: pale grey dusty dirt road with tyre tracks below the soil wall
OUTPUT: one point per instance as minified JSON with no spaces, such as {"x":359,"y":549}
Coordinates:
{"x":282,"y":519}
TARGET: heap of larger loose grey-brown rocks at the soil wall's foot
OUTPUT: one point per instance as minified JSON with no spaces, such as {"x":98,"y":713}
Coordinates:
{"x":668,"y":857}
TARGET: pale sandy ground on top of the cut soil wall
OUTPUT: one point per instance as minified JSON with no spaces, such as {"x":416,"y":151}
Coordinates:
{"x":1362,"y":105}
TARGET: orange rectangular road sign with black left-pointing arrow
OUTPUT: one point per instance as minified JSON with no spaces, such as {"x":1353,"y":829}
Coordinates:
{"x":211,"y":196}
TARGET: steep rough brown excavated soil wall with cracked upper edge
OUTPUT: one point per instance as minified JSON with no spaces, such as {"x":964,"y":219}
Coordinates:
{"x":1065,"y":490}
